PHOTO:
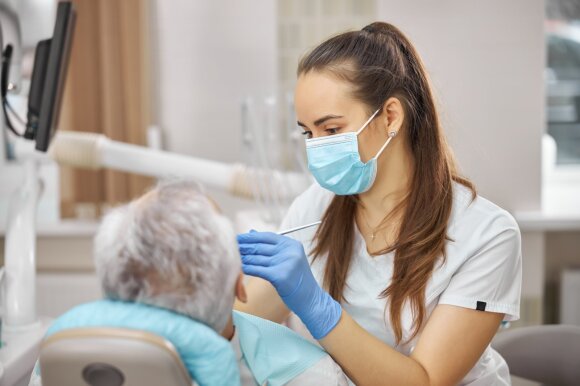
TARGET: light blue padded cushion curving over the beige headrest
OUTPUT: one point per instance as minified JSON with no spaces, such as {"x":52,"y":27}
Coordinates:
{"x":207,"y":356}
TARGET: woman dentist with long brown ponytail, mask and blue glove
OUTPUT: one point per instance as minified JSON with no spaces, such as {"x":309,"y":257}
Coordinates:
{"x":410,"y":273}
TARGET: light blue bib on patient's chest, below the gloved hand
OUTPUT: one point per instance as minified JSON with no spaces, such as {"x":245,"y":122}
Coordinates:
{"x":274,"y":353}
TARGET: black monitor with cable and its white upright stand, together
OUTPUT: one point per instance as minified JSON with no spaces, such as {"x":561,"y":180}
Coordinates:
{"x":23,"y":331}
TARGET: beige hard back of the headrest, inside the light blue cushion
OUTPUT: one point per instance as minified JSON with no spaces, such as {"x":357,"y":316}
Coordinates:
{"x":110,"y":357}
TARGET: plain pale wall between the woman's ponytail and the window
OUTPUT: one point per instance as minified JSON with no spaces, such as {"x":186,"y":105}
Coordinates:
{"x":486,"y":61}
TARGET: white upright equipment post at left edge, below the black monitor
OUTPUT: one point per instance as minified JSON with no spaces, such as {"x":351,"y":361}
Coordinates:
{"x":22,"y":331}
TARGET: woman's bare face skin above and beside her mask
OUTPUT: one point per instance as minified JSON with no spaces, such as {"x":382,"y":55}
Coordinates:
{"x":325,"y":106}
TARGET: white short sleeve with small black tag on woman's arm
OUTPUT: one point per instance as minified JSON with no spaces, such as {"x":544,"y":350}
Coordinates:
{"x":490,"y":280}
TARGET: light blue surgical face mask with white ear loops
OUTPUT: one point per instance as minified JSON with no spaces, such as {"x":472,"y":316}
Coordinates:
{"x":335,"y":162}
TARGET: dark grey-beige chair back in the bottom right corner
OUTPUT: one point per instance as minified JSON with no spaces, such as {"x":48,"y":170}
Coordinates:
{"x":547,"y":354}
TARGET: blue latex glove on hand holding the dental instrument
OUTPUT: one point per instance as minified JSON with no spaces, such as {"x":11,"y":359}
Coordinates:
{"x":282,"y":261}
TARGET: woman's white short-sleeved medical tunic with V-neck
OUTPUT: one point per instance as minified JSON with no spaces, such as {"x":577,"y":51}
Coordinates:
{"x":482,"y":270}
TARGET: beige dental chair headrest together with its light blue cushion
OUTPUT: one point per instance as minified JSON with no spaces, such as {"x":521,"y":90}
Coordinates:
{"x":116,"y":343}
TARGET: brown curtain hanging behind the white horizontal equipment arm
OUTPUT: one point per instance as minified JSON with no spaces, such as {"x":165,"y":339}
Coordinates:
{"x":107,"y":91}
